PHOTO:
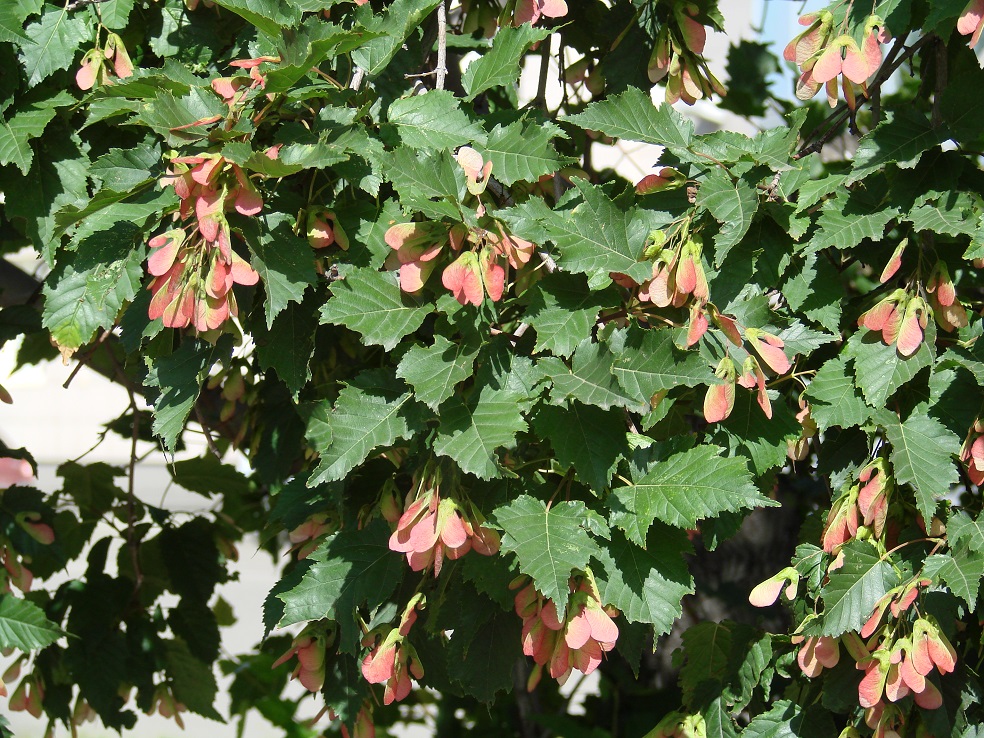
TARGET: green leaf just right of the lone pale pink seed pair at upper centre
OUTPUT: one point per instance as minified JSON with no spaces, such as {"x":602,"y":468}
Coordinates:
{"x":523,"y":151}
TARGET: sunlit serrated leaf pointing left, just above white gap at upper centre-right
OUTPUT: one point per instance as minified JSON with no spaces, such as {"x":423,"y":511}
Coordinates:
{"x":633,"y":116}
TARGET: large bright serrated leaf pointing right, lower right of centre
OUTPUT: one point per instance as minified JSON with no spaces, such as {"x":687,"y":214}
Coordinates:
{"x":684,"y":489}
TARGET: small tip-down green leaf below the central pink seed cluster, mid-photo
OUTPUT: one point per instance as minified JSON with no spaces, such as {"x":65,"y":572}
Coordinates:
{"x":434,"y":371}
